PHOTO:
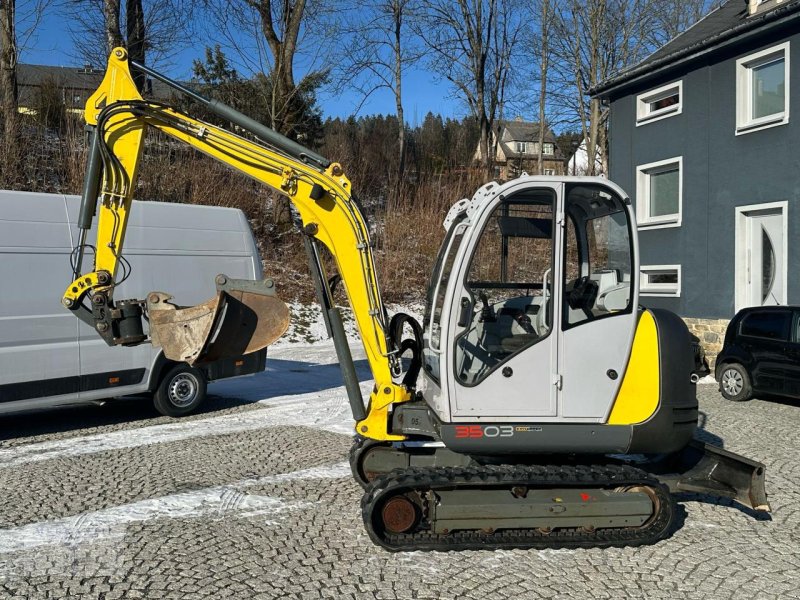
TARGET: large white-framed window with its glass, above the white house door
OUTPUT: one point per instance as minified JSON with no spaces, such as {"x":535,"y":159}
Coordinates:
{"x":762,"y":89}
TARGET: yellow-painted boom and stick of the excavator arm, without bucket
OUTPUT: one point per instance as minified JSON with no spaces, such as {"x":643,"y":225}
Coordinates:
{"x":334,"y":219}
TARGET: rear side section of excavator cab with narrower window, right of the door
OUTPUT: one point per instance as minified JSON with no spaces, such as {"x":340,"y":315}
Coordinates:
{"x":599,"y":297}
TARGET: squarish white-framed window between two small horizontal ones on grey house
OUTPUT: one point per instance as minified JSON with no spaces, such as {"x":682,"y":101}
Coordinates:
{"x":659,"y":193}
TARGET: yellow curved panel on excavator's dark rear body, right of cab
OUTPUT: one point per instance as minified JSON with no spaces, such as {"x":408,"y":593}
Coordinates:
{"x":638,"y":395}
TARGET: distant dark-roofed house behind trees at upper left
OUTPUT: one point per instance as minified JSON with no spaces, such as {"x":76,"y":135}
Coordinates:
{"x":74,"y":85}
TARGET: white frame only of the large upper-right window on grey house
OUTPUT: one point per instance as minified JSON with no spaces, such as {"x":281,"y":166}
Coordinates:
{"x":744,"y":123}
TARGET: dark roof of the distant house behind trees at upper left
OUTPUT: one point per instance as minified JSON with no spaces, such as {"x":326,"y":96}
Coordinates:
{"x":78,"y":79}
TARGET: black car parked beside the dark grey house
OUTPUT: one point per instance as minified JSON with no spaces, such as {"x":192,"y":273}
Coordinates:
{"x":761,"y":353}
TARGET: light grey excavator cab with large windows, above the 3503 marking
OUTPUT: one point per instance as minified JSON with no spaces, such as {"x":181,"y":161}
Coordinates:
{"x":532,"y":280}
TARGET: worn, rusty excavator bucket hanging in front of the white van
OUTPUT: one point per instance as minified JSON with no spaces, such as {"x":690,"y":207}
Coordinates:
{"x":245,"y":317}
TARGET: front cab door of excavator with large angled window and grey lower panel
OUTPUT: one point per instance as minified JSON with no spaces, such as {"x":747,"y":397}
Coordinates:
{"x":502,"y":343}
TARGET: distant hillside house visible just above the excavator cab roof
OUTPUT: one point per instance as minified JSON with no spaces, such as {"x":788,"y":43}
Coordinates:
{"x":516,"y":146}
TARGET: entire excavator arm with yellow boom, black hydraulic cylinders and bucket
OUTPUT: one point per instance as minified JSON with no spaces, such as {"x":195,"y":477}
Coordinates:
{"x":245,"y":316}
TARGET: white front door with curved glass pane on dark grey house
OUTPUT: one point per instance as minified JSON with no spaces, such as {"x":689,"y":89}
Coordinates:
{"x":762,"y":261}
